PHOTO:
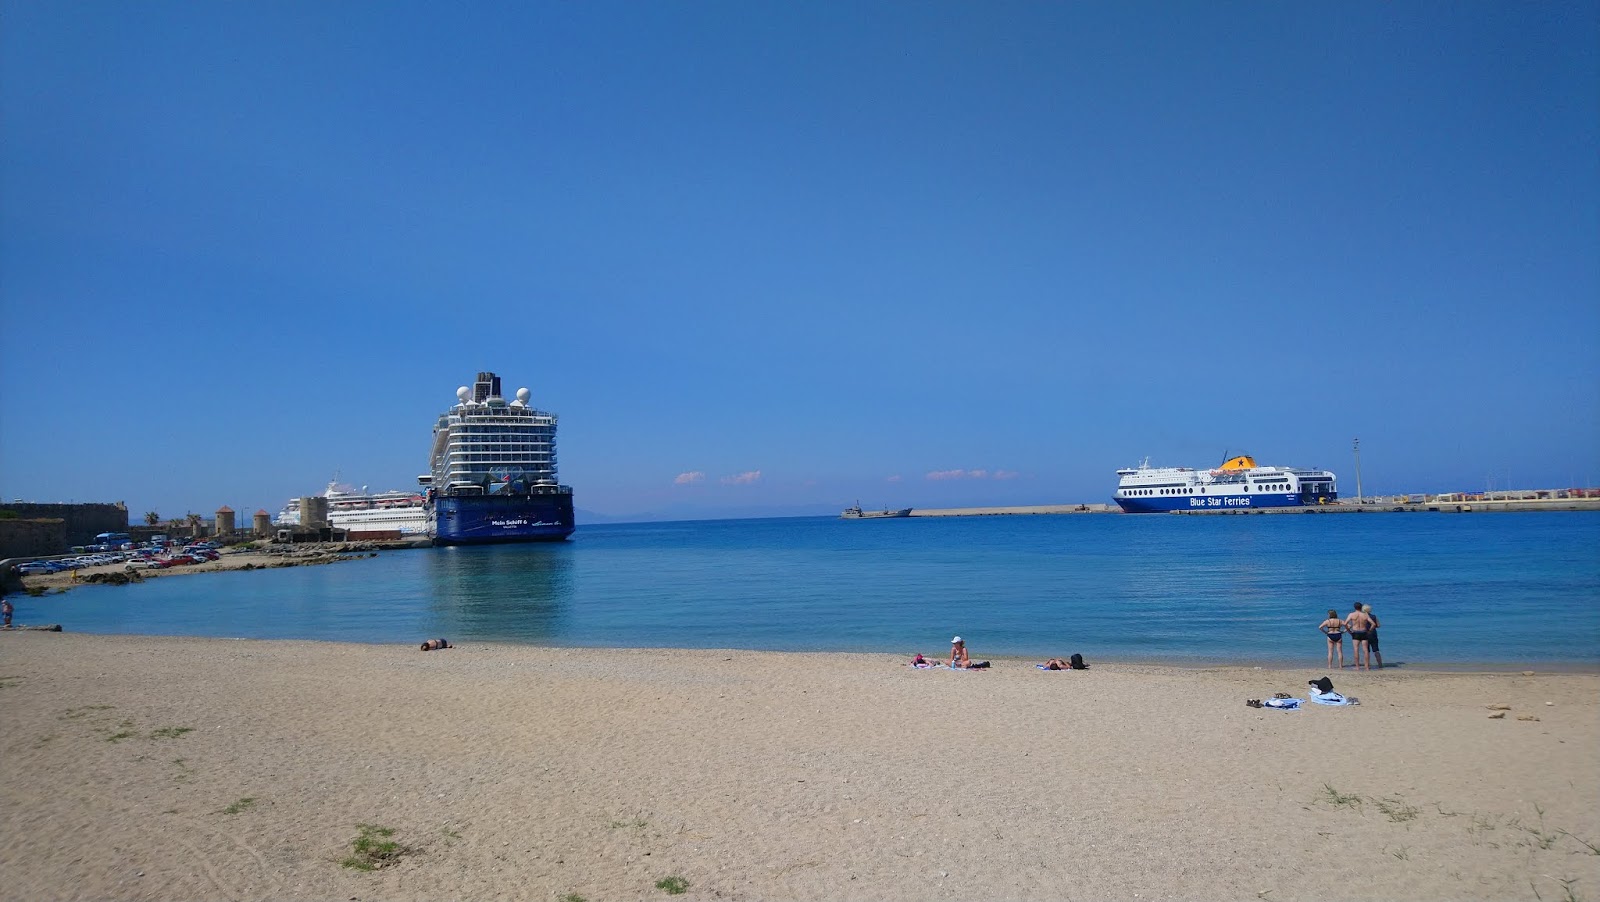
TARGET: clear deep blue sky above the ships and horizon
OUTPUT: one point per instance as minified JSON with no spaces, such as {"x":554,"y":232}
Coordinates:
{"x":775,"y":258}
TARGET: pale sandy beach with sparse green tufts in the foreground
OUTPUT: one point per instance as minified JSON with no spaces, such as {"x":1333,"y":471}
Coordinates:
{"x":180,"y":768}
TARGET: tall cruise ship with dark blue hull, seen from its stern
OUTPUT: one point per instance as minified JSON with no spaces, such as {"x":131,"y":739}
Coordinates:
{"x":494,"y":471}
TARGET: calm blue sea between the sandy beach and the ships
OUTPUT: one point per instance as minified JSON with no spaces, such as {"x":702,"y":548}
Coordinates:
{"x":1454,"y":591}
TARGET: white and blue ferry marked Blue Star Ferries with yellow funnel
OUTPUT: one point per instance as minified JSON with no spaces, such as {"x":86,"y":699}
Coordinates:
{"x":1238,"y":485}
